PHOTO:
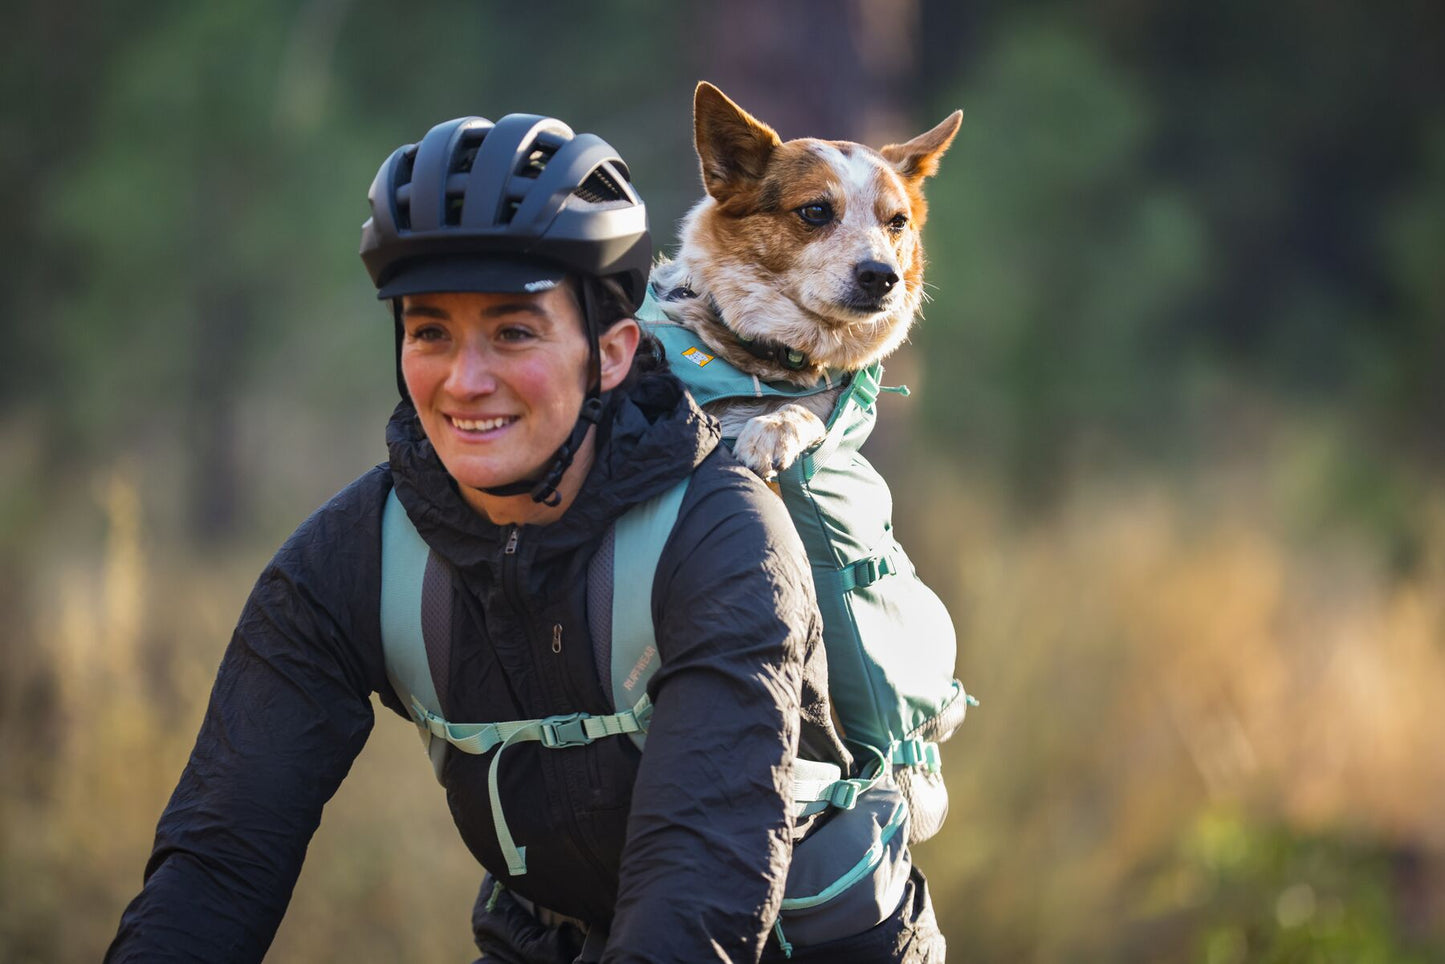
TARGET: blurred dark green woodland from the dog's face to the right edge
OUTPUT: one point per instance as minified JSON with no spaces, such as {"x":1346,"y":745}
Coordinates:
{"x":1167,"y":203}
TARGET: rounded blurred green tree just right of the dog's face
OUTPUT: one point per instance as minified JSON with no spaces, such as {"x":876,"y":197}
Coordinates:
{"x":1058,"y":258}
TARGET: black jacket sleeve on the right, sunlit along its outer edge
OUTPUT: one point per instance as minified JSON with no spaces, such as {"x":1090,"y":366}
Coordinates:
{"x":709,"y":838}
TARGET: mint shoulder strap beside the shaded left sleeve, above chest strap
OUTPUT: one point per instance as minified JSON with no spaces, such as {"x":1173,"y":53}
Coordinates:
{"x":405,"y":566}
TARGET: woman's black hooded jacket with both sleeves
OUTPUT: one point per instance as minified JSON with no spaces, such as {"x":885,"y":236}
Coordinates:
{"x":683,"y":852}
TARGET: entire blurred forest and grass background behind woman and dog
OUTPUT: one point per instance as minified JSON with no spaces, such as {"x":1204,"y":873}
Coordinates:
{"x":1174,"y":453}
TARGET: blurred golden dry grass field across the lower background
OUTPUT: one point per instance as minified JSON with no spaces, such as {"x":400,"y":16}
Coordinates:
{"x":1203,"y":738}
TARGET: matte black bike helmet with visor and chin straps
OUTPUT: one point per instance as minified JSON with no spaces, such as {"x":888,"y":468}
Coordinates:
{"x":509,"y":207}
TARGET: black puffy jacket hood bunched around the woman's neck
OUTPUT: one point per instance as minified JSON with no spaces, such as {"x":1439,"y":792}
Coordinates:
{"x":650,"y":439}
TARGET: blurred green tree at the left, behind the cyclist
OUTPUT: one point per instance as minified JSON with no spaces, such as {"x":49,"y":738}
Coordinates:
{"x":183,"y":218}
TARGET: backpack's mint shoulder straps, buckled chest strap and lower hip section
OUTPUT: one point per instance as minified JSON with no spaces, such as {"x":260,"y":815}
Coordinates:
{"x":846,"y":877}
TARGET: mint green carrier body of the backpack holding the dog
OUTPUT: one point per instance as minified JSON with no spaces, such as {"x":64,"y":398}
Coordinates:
{"x":891,"y":641}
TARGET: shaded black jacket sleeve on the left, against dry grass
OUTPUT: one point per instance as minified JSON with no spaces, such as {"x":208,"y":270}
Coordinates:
{"x":288,"y":715}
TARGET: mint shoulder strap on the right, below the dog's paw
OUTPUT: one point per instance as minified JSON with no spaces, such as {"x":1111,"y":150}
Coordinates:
{"x":638,"y":540}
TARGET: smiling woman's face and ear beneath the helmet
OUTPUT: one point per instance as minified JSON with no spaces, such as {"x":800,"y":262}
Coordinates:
{"x":498,"y":379}
